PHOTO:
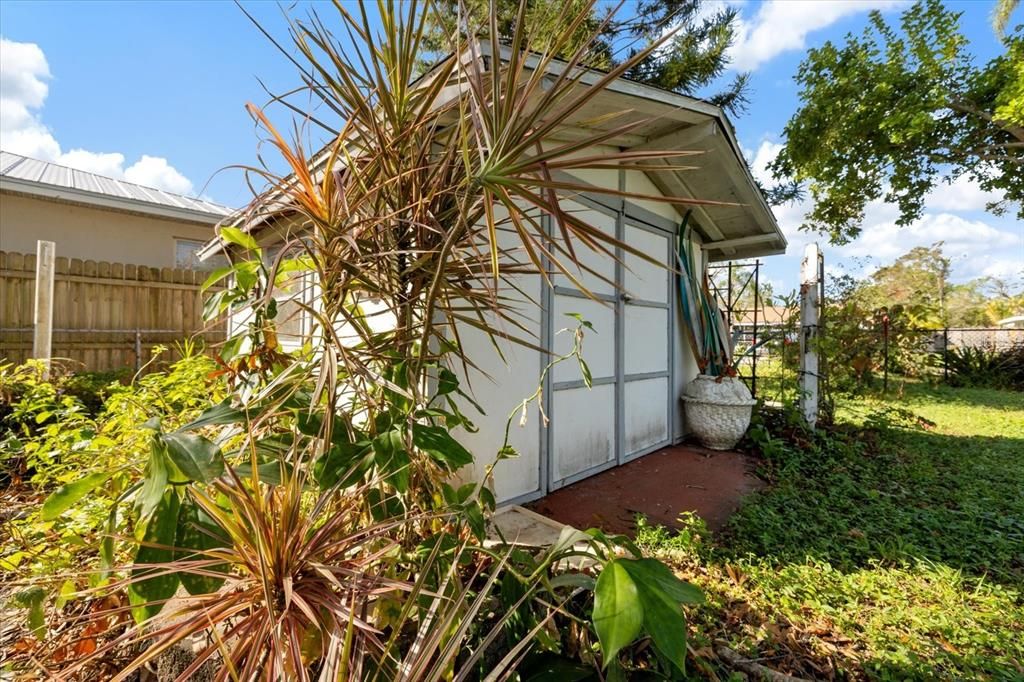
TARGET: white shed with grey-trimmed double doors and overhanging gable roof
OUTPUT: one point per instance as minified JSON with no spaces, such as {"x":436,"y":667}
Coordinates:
{"x":637,"y":355}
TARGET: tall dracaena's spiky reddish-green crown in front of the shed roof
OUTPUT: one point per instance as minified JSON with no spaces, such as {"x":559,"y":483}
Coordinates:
{"x":438,"y":193}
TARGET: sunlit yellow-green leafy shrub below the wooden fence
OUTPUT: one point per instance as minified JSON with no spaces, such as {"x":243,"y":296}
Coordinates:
{"x":51,"y":441}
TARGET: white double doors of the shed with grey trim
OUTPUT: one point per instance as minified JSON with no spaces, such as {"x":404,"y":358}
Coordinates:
{"x":627,"y":411}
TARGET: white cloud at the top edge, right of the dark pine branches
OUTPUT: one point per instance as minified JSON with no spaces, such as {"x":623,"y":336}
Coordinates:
{"x":783,"y":26}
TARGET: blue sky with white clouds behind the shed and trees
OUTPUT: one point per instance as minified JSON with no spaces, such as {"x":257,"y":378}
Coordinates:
{"x":155,"y":93}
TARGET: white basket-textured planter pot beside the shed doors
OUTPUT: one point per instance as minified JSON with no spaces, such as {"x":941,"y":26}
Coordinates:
{"x":718,"y":411}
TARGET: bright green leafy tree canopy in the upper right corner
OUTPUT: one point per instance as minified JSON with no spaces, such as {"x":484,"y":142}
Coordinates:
{"x":895,"y":112}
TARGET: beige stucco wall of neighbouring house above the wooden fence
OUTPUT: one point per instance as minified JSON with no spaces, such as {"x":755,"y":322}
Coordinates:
{"x":93,"y":234}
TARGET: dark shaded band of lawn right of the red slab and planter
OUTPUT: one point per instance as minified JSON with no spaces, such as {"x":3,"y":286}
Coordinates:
{"x":912,"y":496}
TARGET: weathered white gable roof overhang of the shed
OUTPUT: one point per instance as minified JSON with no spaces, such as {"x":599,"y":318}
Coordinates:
{"x":743,"y":227}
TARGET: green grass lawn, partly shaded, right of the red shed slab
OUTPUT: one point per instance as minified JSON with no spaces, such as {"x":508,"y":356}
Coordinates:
{"x":893,"y":550}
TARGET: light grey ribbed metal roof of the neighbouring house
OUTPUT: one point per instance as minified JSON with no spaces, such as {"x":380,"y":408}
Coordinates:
{"x":49,"y":181}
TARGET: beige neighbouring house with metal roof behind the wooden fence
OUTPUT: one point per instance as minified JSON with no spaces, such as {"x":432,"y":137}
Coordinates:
{"x":93,"y":218}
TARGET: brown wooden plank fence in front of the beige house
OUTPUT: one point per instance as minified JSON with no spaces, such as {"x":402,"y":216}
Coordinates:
{"x":106,"y":316}
